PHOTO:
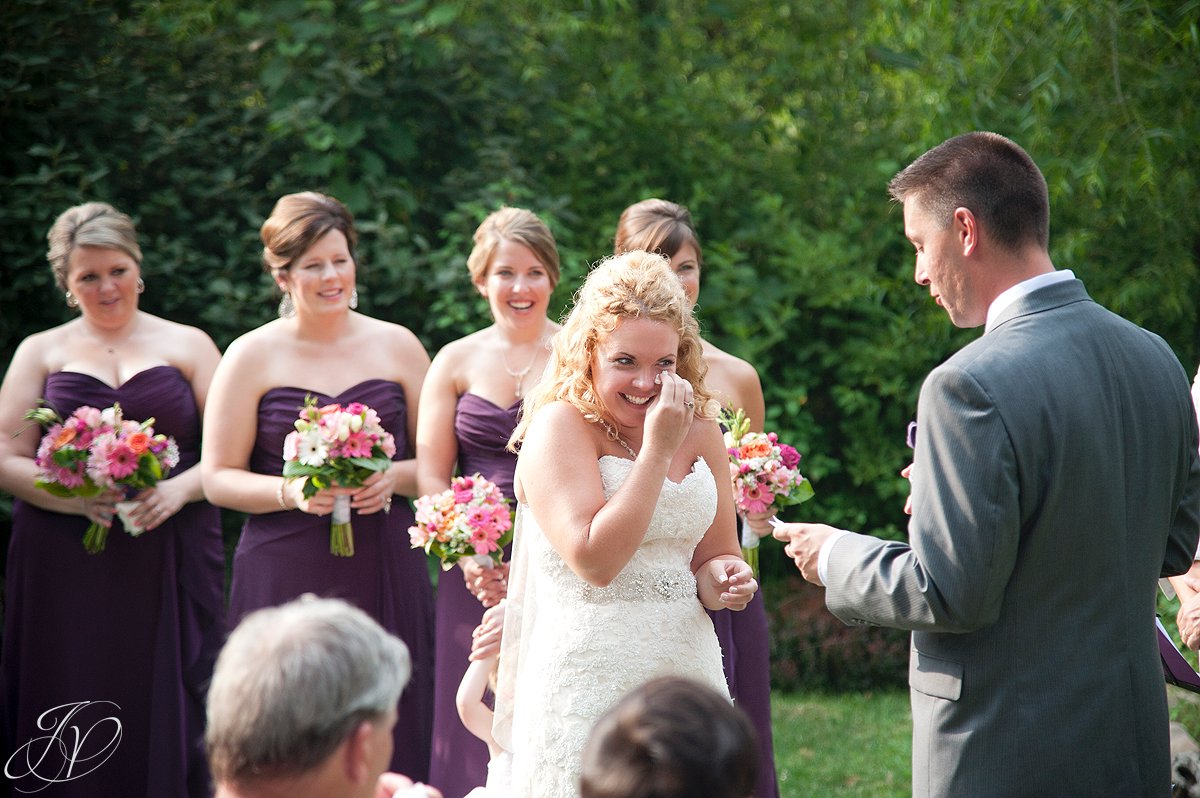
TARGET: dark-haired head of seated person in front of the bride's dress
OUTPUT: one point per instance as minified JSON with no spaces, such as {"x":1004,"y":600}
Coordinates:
{"x":671,"y":739}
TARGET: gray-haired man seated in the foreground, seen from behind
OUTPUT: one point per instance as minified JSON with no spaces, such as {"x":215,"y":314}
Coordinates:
{"x":303,"y":704}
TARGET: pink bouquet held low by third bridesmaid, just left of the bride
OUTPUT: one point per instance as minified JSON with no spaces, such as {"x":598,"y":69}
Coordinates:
{"x":471,"y":519}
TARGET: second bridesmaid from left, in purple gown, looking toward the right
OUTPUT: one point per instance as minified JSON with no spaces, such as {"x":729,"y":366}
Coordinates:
{"x":321,"y":347}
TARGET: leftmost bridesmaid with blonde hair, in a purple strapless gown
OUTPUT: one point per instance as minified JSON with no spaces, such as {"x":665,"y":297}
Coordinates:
{"x":121,"y":643}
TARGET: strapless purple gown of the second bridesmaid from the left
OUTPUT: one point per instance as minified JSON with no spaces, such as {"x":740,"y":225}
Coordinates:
{"x":285,"y":555}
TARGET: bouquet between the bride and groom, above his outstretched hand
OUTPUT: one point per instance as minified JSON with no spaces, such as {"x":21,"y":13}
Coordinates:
{"x":765,"y":475}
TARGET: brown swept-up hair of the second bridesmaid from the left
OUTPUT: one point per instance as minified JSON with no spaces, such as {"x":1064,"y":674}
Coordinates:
{"x":297,"y":223}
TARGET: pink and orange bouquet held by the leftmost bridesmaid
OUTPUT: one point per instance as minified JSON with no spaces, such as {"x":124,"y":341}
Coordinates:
{"x":94,"y":452}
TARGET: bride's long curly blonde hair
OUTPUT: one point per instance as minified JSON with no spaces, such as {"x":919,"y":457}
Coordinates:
{"x":633,"y":285}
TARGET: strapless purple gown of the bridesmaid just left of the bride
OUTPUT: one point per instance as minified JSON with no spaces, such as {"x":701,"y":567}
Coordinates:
{"x":460,"y":759}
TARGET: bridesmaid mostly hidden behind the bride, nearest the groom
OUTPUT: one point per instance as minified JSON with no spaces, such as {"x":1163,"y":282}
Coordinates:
{"x":664,"y":227}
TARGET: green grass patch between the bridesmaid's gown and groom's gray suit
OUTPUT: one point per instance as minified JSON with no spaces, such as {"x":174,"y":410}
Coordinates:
{"x":841,"y":746}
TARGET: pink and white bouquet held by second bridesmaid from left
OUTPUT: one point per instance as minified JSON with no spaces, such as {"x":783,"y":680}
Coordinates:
{"x":337,"y":447}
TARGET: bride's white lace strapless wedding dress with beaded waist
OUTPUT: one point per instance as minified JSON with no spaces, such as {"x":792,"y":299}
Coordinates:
{"x":572,"y":650}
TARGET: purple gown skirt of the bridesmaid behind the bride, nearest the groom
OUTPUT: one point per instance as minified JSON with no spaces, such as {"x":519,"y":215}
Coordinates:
{"x":746,"y":646}
